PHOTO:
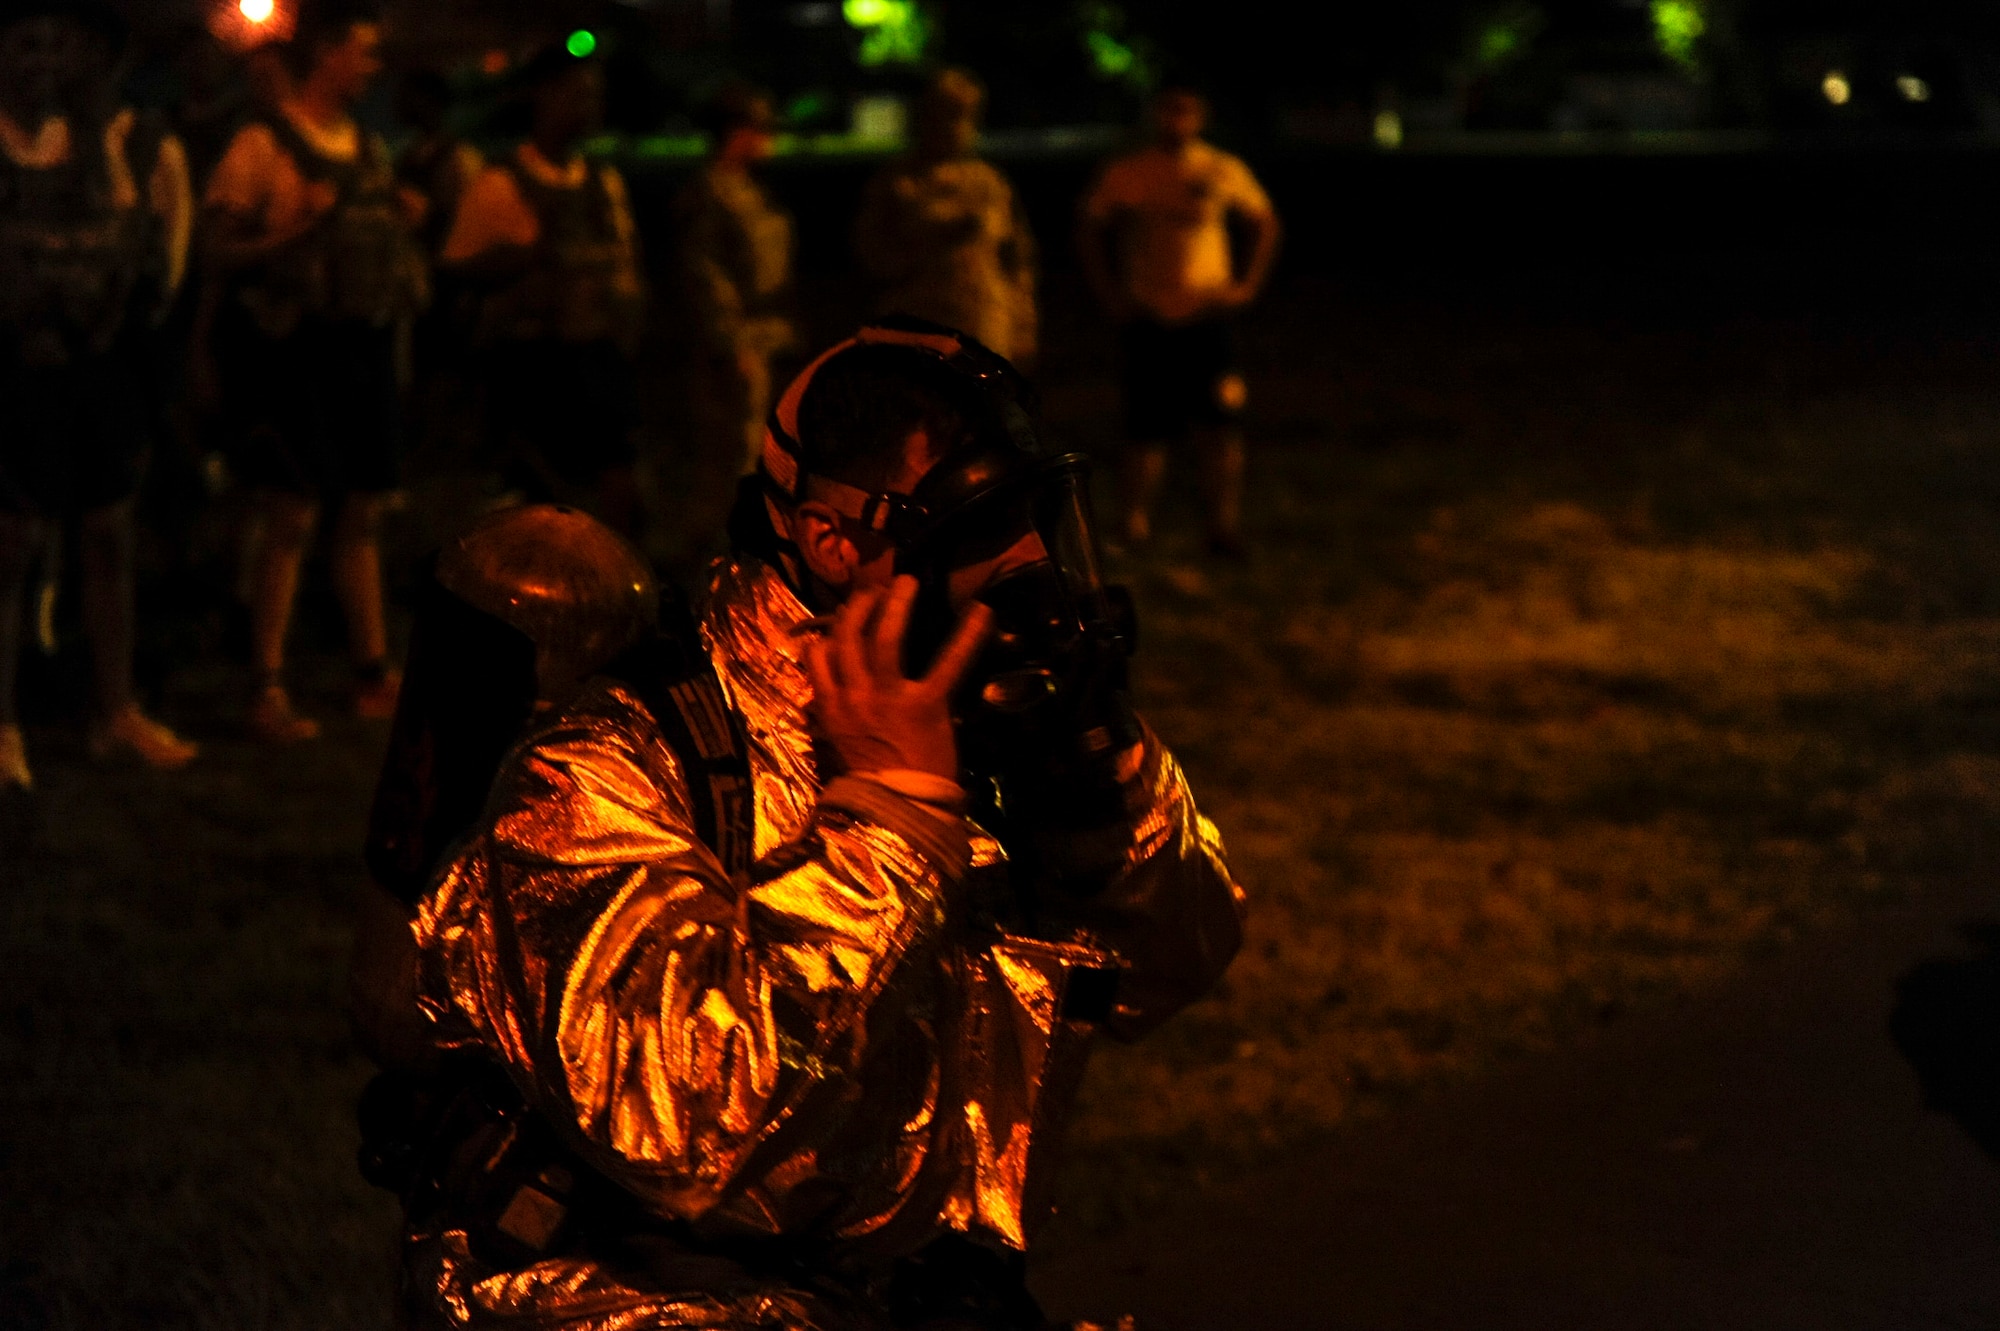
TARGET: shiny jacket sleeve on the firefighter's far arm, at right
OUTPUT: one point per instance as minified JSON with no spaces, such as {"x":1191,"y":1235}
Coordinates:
{"x":1171,"y":910}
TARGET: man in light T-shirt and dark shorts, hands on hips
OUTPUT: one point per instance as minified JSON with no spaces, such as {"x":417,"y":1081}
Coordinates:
{"x":1155,"y":239}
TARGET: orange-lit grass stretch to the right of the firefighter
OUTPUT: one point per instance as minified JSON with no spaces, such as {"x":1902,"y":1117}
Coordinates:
{"x":1513,"y":730}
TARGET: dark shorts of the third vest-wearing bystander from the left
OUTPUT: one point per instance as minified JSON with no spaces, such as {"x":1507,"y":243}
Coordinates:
{"x":565,"y":409}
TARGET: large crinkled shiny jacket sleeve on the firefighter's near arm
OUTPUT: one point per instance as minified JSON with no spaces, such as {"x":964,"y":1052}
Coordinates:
{"x":669,"y":1016}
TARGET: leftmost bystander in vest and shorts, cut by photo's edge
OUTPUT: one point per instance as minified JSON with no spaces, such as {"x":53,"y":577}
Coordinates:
{"x":95,"y":221}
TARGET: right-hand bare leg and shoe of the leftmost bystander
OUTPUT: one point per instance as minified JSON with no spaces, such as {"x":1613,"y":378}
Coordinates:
{"x":109,"y":541}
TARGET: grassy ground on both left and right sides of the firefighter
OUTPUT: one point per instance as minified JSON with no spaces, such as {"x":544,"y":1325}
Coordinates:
{"x":1583,"y":659}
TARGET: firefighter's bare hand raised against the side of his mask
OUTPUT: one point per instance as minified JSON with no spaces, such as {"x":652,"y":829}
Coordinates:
{"x":875,"y":716}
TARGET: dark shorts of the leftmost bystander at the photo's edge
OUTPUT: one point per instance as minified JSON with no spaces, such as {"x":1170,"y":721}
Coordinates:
{"x":73,"y":439}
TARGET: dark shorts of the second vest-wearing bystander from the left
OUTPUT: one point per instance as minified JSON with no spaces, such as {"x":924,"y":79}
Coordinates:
{"x":315,"y":415}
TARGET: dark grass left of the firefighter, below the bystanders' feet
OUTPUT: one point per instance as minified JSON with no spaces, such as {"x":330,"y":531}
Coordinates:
{"x":177,"y":1080}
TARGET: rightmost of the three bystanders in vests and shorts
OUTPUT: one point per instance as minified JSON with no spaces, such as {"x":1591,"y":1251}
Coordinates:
{"x":547,"y":243}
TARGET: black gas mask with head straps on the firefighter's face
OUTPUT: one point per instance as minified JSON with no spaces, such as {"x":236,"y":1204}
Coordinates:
{"x":1045,"y":712}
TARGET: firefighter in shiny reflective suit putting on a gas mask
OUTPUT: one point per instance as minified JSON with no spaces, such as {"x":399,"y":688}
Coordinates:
{"x":733,"y":1018}
